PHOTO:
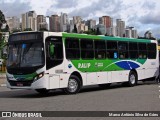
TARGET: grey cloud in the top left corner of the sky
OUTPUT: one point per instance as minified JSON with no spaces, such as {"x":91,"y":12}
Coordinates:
{"x":14,"y":7}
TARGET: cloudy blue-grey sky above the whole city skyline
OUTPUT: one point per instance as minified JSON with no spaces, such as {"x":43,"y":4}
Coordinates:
{"x":143,"y":15}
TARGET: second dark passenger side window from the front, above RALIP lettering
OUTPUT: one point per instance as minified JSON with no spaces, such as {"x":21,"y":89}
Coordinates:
{"x":87,"y":51}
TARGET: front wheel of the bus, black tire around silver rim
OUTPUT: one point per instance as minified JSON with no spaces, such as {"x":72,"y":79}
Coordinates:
{"x":74,"y":85}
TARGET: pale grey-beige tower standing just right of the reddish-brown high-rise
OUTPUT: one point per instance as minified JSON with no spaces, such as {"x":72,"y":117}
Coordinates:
{"x":120,"y":27}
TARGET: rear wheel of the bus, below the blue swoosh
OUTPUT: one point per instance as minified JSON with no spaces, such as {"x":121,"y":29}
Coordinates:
{"x":132,"y":79}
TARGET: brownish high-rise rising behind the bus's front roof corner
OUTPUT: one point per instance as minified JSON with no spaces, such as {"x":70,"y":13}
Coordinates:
{"x":54,"y":23}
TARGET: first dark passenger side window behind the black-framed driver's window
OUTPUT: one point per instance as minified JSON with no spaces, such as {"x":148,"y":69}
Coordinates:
{"x":72,"y":48}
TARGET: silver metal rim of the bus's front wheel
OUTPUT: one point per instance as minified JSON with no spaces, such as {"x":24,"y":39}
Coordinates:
{"x":72,"y":85}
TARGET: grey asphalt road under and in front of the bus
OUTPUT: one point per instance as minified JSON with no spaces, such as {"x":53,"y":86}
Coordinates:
{"x":143,"y":97}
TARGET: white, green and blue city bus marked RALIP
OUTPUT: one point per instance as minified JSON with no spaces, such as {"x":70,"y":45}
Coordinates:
{"x":51,"y":60}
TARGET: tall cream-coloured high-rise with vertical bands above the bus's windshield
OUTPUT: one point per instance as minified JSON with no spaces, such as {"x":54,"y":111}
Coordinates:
{"x":29,"y":20}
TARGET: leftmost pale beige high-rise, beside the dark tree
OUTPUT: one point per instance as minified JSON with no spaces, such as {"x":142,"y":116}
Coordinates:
{"x":13,"y":23}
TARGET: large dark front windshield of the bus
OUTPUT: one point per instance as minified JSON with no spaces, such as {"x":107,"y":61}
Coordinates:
{"x":25,"y":55}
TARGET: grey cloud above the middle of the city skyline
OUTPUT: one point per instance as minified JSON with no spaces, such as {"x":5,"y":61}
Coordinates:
{"x":99,"y":8}
